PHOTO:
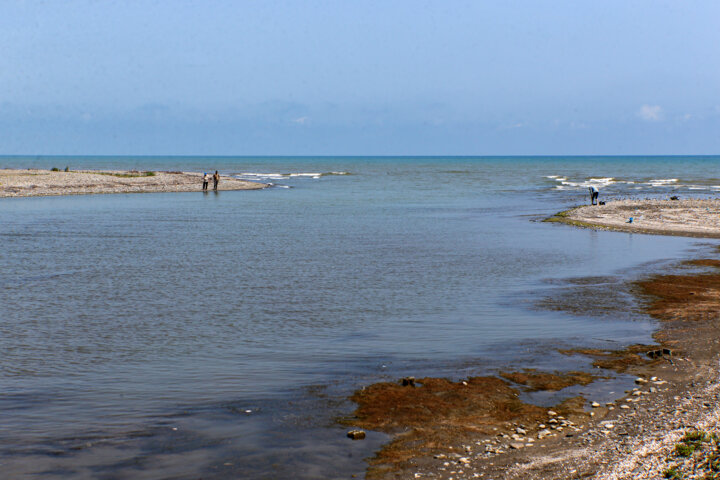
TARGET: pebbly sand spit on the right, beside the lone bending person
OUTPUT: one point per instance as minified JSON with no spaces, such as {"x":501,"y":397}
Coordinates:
{"x":692,"y":218}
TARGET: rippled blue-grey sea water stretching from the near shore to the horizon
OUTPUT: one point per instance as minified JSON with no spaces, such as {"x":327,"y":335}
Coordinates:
{"x":219,"y":335}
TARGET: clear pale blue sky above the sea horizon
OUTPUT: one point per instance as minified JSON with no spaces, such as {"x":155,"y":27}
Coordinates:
{"x":451,"y":77}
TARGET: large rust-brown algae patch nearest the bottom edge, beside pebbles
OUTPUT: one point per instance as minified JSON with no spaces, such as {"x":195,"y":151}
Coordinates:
{"x":437,"y":413}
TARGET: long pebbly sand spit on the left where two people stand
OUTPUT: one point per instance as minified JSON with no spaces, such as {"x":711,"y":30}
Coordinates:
{"x":34,"y":183}
